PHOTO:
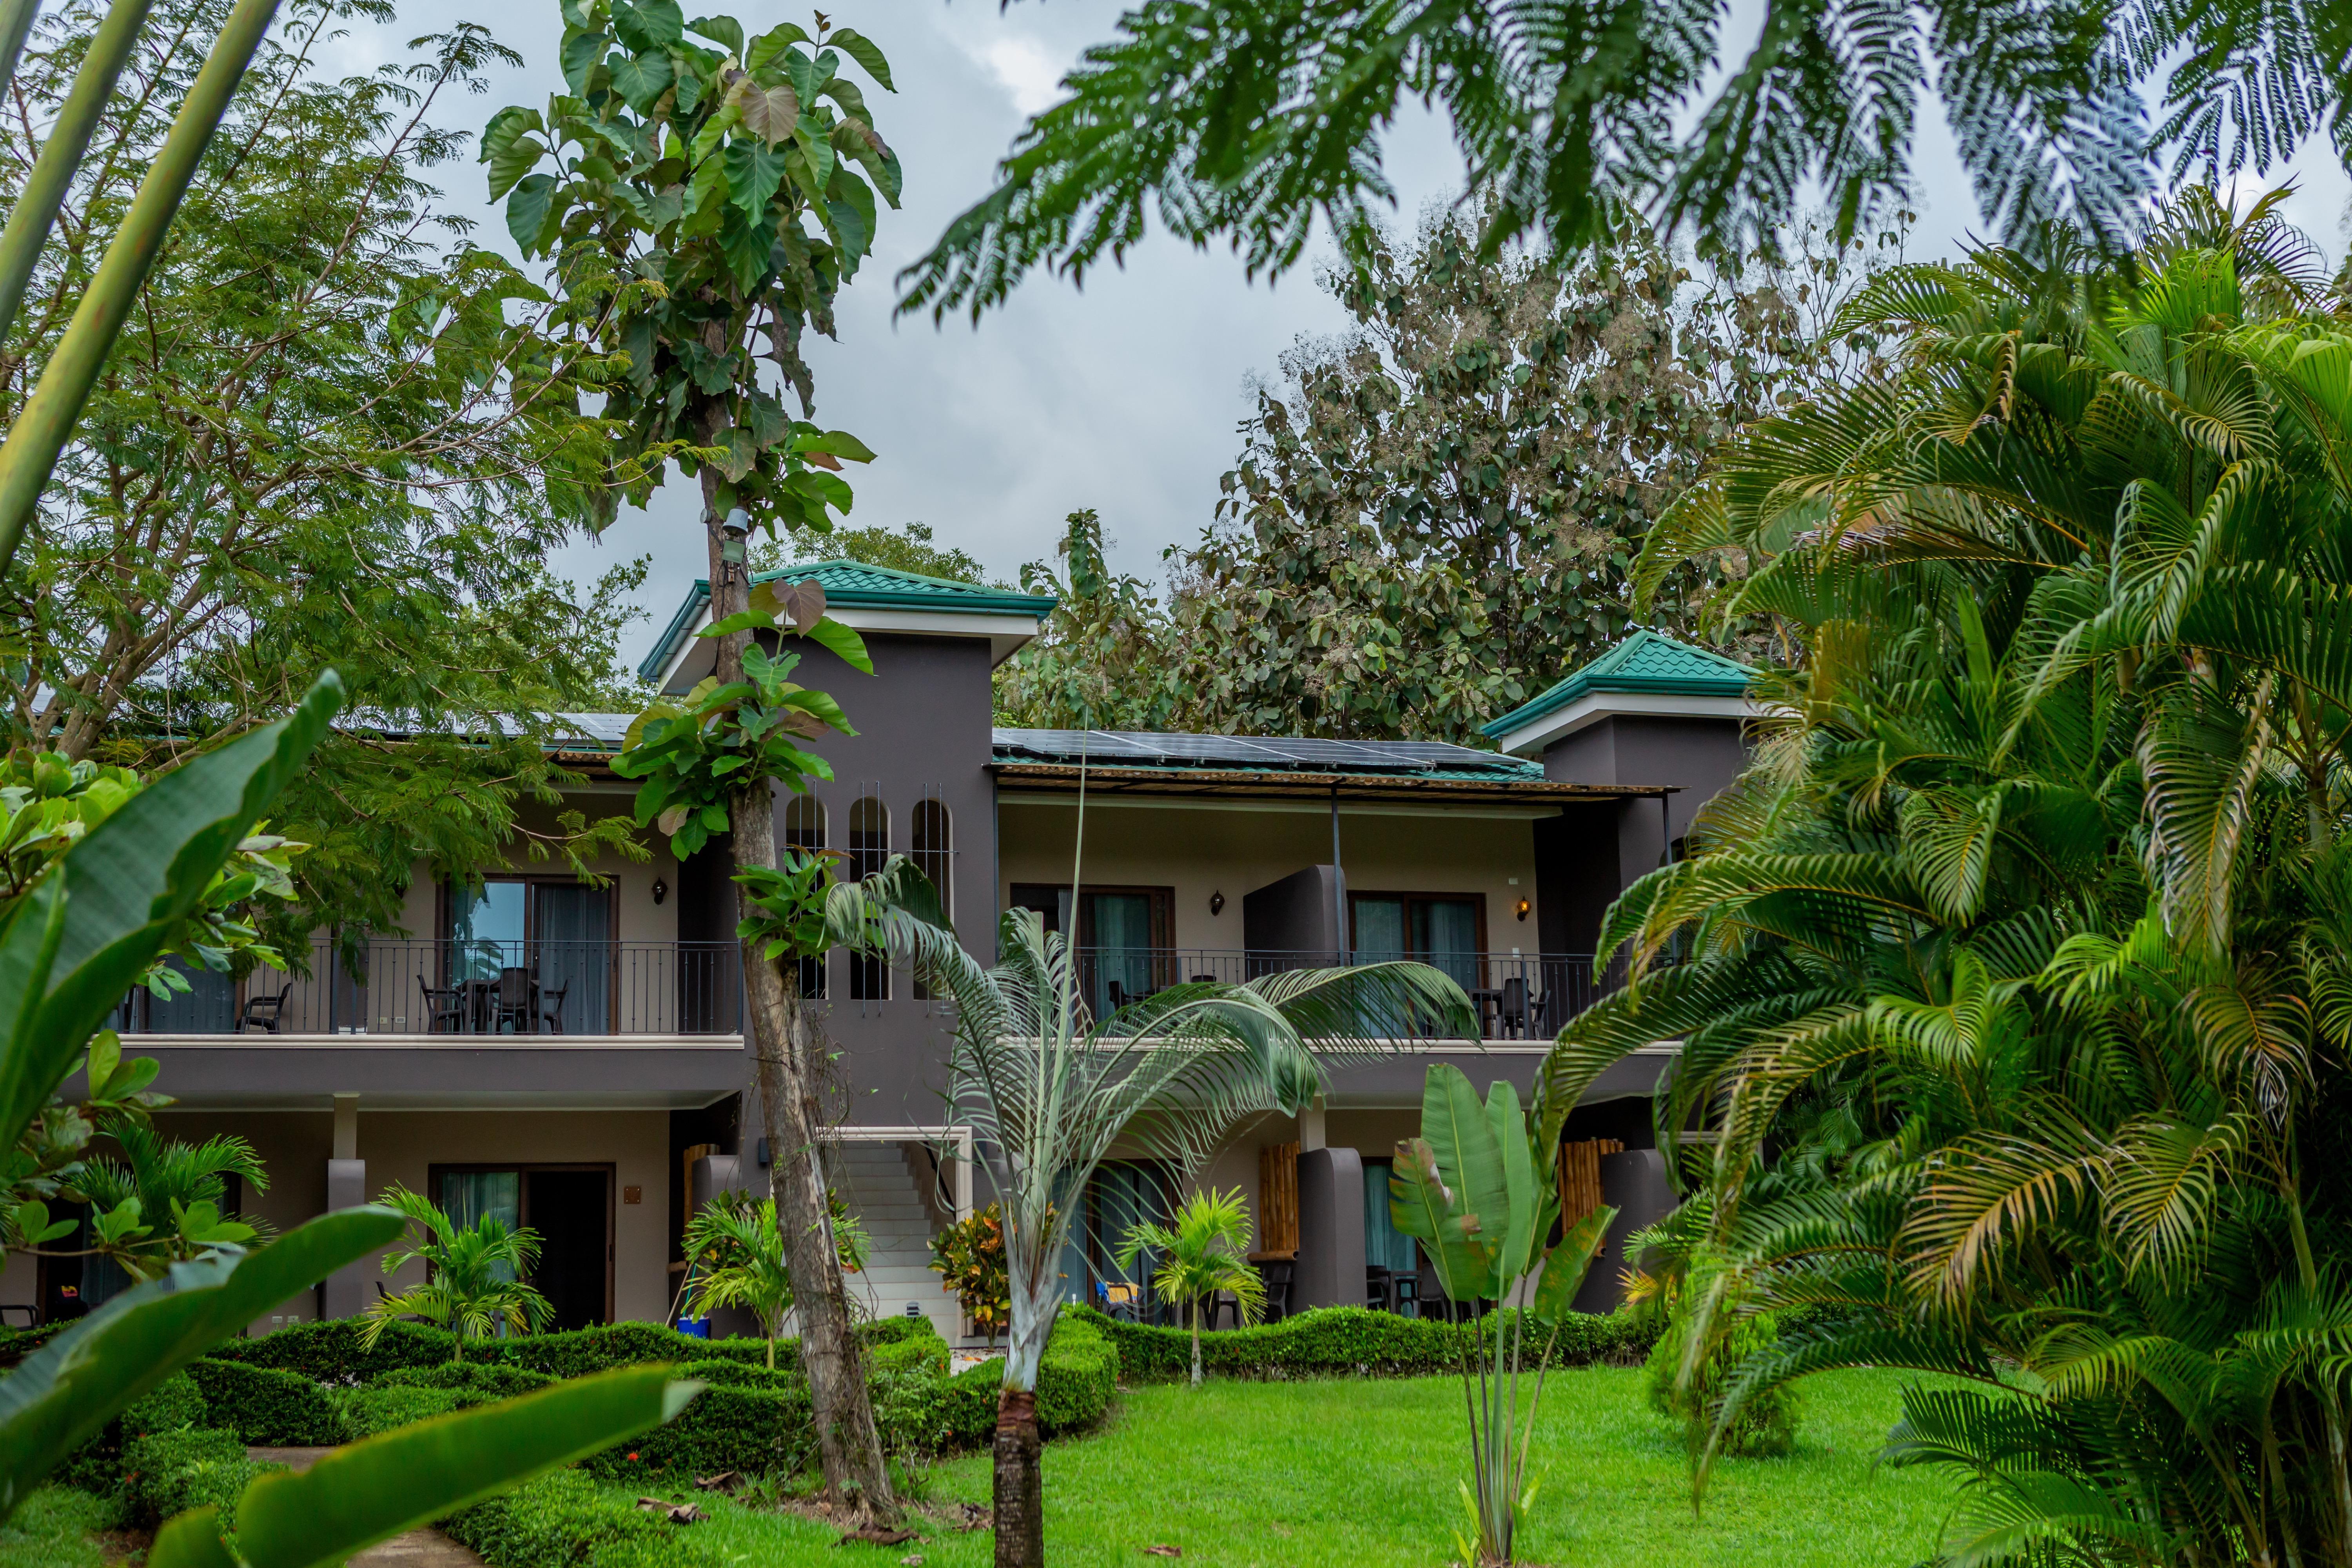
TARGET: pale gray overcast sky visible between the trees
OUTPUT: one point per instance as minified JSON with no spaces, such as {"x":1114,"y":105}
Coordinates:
{"x":1123,"y":396}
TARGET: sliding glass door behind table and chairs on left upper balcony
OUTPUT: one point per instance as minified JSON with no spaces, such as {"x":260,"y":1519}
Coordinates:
{"x":533,"y":956}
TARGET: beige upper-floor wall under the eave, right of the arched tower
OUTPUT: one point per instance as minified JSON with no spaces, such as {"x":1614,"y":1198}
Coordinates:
{"x":1208,"y":847}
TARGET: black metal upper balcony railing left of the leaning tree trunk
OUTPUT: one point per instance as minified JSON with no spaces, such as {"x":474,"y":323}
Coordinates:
{"x":465,"y":989}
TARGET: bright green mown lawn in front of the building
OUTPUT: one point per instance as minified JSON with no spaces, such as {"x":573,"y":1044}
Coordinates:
{"x":1363,"y":1475}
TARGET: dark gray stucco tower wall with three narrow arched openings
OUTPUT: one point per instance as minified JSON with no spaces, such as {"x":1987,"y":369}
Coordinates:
{"x":923,"y":735}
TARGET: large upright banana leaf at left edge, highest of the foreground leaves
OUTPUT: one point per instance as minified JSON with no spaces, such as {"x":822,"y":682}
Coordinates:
{"x":74,"y":949}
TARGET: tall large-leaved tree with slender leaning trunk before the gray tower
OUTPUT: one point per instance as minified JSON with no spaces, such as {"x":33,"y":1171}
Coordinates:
{"x":704,"y":203}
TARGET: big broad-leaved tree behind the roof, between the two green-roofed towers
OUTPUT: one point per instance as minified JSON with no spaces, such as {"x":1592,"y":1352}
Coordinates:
{"x":1436,"y":514}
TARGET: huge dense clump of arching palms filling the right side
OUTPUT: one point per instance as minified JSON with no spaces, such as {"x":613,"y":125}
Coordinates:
{"x":2024,"y":937}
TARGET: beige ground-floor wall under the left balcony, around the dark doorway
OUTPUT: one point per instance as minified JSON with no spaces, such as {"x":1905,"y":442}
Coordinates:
{"x":403,"y":1146}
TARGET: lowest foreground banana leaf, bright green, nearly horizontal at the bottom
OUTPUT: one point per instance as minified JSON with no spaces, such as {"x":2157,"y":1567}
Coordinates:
{"x":377,"y":1489}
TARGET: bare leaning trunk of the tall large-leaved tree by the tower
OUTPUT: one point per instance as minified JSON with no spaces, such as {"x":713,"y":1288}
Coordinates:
{"x":782,"y":1043}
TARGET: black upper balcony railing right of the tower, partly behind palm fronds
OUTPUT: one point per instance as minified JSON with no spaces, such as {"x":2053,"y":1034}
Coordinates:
{"x":1518,"y":996}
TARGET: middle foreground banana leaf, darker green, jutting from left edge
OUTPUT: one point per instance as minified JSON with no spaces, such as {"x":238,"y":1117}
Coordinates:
{"x":83,"y":1379}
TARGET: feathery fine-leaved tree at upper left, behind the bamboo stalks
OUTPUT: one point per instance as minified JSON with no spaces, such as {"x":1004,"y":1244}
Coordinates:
{"x":335,"y":436}
